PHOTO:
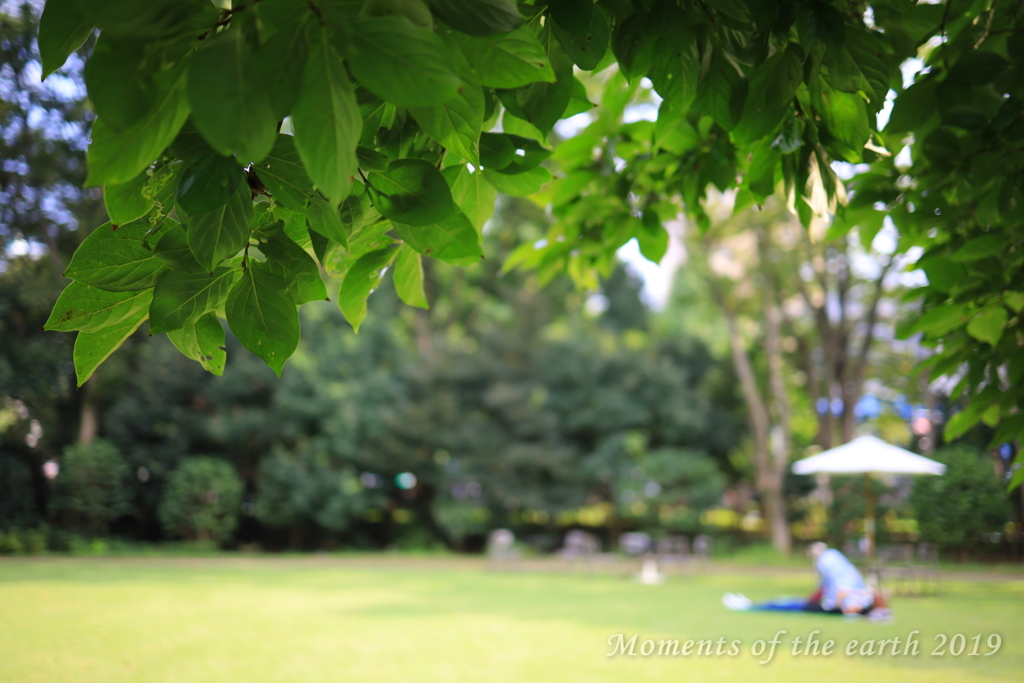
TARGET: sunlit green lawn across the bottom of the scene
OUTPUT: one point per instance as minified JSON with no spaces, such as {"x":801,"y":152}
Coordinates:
{"x":325,"y":619}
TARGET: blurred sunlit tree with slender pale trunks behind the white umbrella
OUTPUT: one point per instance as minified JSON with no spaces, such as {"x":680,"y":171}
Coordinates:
{"x":802,"y":314}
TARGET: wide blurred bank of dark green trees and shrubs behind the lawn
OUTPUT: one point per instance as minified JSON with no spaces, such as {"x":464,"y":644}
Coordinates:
{"x":509,"y":408}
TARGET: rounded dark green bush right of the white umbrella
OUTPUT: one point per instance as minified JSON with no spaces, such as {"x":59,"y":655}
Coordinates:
{"x":957,"y":510}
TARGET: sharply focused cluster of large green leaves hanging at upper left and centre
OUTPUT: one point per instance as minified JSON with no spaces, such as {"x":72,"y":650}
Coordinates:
{"x":246,"y":152}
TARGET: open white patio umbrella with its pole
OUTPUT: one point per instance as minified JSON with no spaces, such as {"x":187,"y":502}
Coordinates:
{"x":868,"y":456}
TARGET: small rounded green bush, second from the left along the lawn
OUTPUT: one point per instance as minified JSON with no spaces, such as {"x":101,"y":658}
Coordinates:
{"x":202,"y":500}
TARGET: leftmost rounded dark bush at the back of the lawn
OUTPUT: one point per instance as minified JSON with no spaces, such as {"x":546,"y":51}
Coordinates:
{"x":92,"y":490}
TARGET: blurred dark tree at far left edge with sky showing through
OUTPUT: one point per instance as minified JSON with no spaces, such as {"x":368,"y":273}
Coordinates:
{"x":45,"y":216}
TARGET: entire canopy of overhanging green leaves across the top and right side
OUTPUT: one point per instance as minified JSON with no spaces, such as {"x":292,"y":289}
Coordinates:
{"x":216,"y":211}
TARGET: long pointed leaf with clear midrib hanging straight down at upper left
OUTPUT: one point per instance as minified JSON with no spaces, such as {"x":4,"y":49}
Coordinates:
{"x":328,"y":123}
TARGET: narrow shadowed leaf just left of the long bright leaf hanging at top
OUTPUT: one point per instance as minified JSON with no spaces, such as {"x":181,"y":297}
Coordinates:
{"x":281,"y":61}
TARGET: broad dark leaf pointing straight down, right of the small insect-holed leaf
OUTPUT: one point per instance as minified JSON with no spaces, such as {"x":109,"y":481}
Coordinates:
{"x":264,"y":317}
